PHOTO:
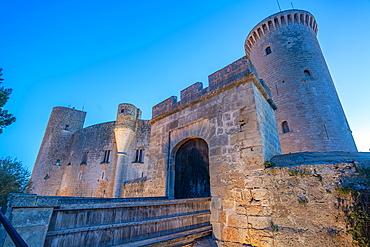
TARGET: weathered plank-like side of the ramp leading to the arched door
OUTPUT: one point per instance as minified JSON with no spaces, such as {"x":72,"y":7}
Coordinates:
{"x":136,"y":223}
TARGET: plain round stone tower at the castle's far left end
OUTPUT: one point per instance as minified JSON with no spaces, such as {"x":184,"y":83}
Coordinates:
{"x":53,"y":156}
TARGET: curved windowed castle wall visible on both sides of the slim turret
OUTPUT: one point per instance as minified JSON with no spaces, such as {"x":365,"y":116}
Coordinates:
{"x":96,"y":178}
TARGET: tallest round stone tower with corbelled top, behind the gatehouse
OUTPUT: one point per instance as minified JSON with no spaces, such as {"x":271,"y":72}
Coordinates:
{"x":285,"y":51}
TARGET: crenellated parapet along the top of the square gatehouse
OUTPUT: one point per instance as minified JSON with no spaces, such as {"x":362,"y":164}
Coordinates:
{"x":217,"y":80}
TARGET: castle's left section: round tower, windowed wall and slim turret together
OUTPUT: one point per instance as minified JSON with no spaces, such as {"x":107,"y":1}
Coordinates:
{"x":90,"y":164}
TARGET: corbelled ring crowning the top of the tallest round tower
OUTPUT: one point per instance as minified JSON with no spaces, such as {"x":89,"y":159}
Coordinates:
{"x":277,"y":21}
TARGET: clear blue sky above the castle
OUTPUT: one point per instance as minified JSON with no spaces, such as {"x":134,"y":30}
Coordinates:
{"x":98,"y":54}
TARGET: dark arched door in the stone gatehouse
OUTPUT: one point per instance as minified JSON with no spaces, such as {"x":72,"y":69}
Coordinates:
{"x":192,"y":170}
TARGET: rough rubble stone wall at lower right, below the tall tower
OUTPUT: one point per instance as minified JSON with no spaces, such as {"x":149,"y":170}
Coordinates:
{"x":279,"y":207}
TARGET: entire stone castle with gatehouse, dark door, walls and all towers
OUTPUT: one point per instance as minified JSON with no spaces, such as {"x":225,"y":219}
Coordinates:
{"x":278,"y":99}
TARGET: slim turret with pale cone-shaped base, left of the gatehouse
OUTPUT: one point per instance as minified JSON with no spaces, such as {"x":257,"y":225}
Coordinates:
{"x":127,"y":117}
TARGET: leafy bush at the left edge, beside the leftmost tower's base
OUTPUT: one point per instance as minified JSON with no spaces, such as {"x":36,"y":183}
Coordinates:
{"x":14,"y":178}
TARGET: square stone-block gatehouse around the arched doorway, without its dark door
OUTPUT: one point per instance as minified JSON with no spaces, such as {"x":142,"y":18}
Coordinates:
{"x":236,"y":120}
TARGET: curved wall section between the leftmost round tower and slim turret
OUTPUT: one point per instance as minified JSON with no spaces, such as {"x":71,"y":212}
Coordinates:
{"x":87,"y":178}
